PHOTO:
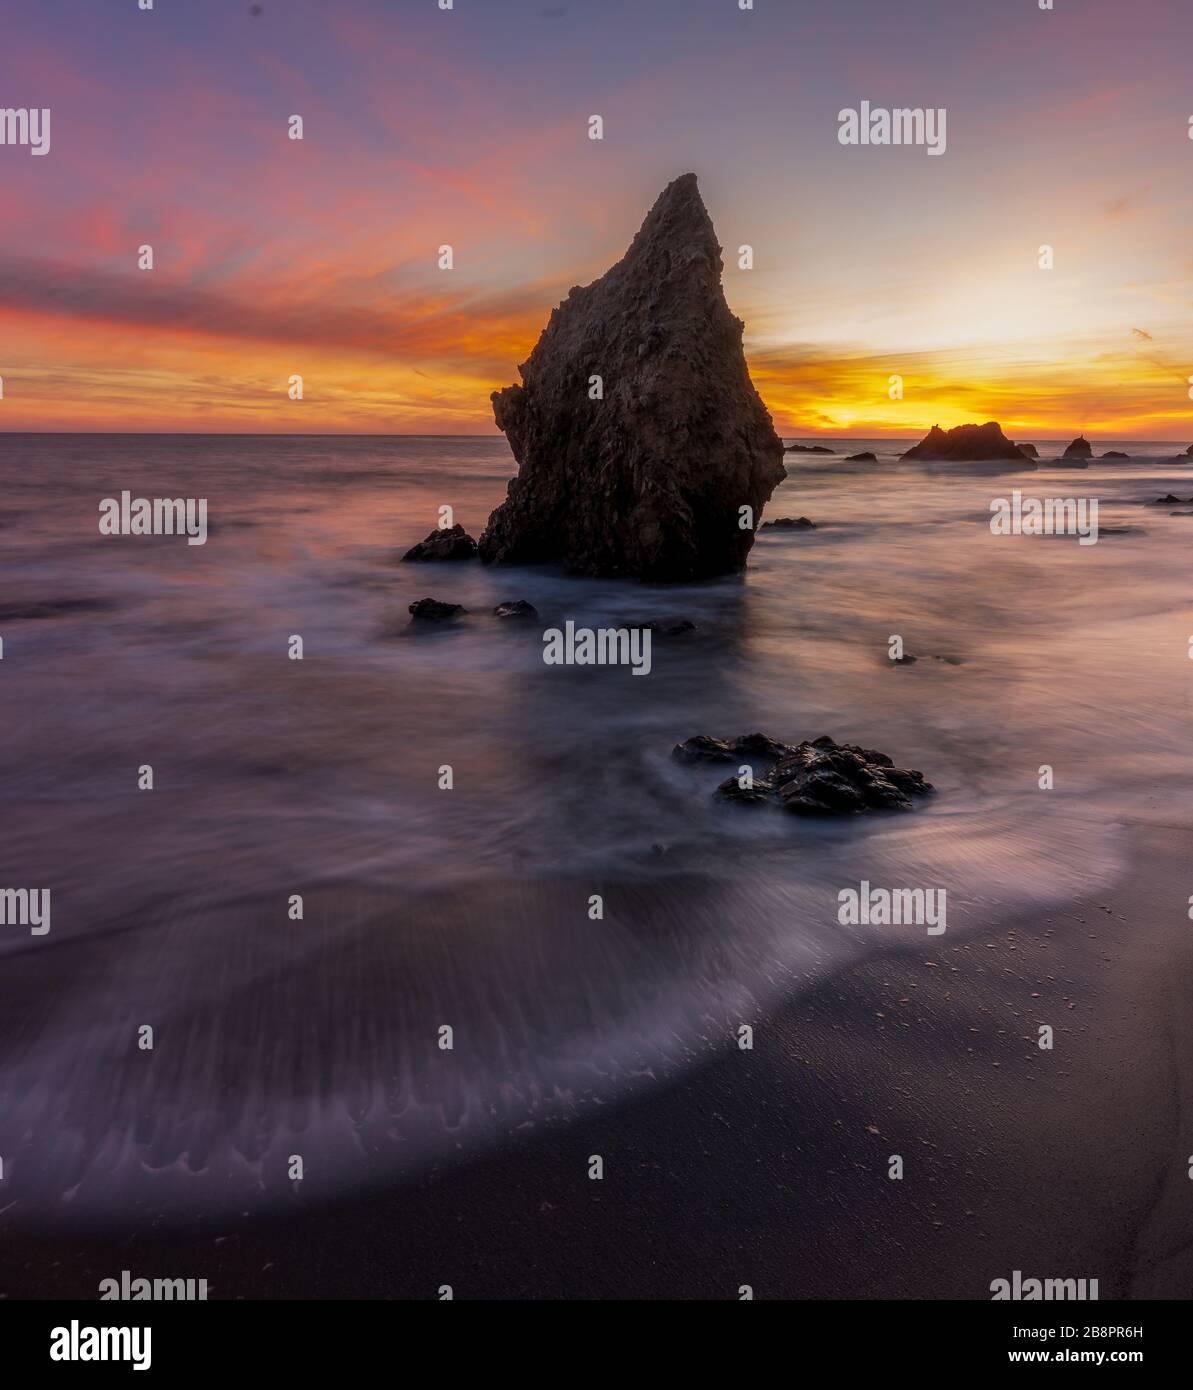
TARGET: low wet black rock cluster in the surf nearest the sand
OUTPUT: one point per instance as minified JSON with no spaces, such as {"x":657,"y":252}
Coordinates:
{"x":821,"y":778}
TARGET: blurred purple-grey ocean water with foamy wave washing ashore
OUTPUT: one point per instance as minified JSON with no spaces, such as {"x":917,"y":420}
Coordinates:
{"x":471,"y":910}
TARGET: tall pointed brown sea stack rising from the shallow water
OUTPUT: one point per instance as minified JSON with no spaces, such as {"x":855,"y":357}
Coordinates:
{"x":647,"y":480}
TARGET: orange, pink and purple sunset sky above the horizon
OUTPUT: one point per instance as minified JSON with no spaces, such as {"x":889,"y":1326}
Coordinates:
{"x":471,"y":127}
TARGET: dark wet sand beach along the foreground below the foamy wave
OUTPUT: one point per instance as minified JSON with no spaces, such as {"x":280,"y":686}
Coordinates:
{"x":770,"y":1167}
